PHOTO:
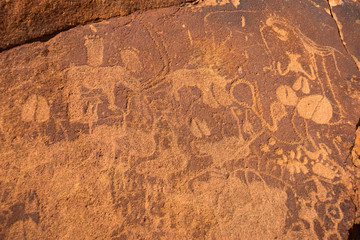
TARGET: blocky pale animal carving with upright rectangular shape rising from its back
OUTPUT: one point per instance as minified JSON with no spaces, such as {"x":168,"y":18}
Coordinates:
{"x":89,"y":83}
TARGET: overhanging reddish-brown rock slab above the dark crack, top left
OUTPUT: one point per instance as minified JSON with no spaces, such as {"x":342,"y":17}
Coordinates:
{"x":27,"y":20}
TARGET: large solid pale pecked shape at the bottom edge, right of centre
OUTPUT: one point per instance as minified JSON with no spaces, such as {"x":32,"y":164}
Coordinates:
{"x":252,"y":209}
